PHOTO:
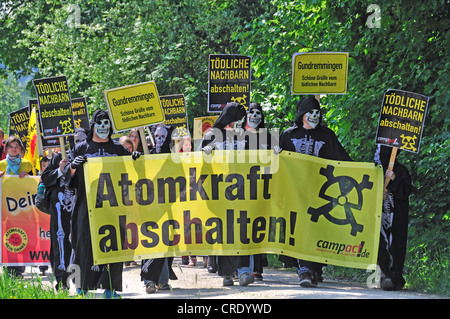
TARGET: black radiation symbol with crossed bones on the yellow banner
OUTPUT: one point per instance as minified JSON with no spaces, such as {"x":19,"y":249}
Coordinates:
{"x":346,"y":185}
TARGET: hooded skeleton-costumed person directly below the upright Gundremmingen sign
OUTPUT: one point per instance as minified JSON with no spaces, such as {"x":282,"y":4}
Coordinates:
{"x":308,"y":137}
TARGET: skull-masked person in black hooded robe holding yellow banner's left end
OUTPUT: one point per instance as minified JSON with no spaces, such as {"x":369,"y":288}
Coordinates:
{"x":97,"y":144}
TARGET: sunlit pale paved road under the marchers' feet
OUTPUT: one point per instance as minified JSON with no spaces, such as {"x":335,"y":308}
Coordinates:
{"x":197,"y":283}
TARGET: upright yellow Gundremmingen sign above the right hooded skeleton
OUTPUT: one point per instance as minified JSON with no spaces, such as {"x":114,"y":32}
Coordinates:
{"x":319,"y":72}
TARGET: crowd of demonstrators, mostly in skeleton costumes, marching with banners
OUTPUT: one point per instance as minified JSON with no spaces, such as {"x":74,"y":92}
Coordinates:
{"x":235,"y":129}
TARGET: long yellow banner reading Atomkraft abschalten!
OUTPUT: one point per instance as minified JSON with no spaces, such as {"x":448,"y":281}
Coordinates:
{"x":234,"y":203}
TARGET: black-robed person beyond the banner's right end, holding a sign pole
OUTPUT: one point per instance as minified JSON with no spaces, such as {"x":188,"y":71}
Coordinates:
{"x":394,"y":221}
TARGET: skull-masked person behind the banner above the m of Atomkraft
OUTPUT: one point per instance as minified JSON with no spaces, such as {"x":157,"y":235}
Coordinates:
{"x":156,"y":272}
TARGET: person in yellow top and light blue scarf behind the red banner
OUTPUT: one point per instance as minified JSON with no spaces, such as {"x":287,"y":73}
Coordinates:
{"x":14,"y":164}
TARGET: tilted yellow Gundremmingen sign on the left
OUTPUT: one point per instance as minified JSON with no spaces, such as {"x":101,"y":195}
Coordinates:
{"x":134,"y":106}
